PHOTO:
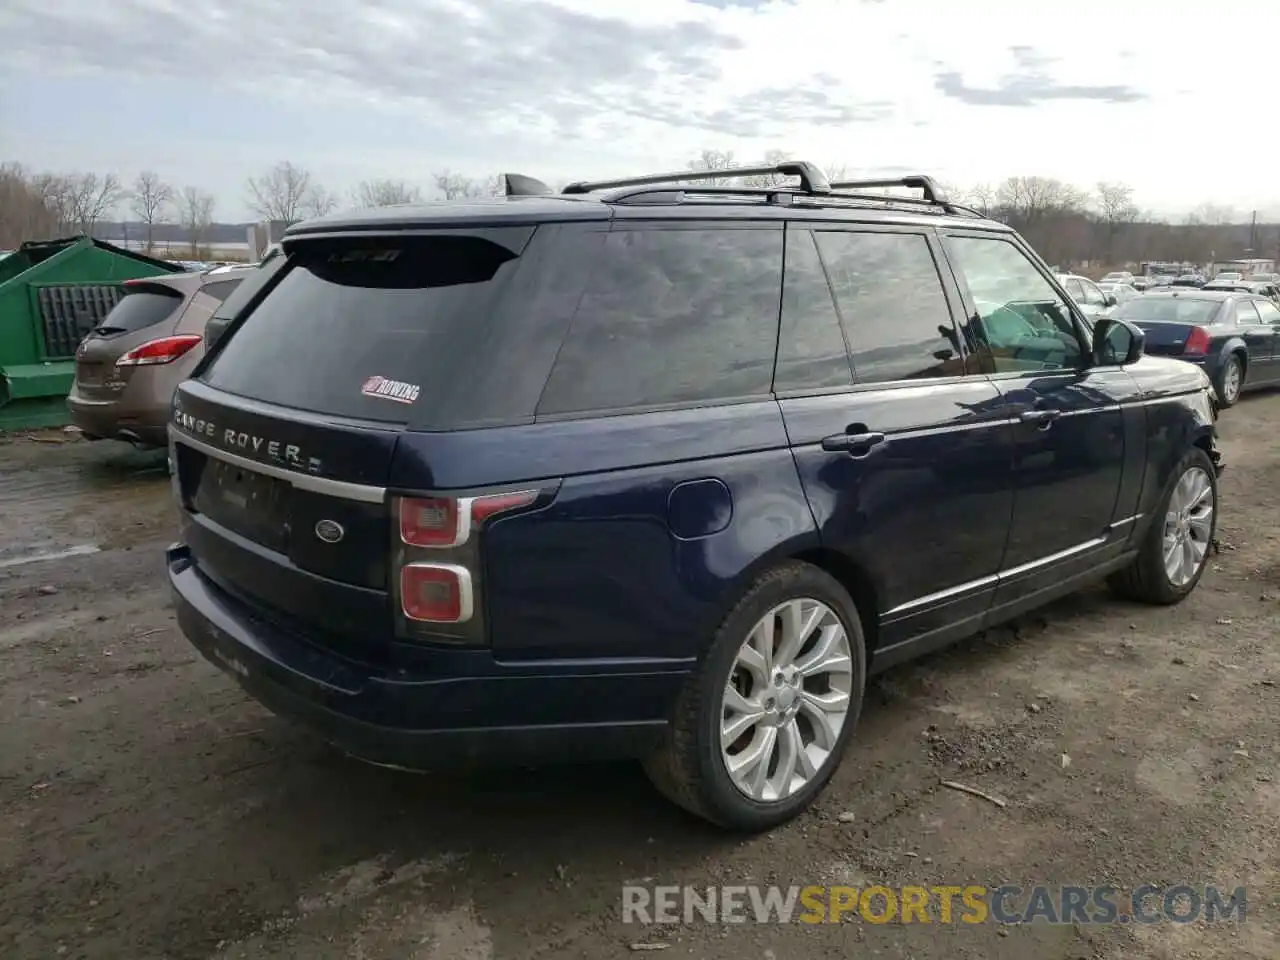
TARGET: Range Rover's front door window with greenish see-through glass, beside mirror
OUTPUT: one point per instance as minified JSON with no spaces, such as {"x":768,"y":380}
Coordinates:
{"x":1022,"y":318}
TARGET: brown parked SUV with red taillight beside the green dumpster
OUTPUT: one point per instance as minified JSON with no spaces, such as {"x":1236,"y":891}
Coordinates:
{"x":129,"y":365}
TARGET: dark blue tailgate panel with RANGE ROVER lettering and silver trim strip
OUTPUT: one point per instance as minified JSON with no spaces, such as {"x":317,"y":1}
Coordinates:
{"x":287,"y":511}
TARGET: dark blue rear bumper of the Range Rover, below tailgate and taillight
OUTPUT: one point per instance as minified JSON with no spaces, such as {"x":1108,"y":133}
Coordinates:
{"x":419,"y":717}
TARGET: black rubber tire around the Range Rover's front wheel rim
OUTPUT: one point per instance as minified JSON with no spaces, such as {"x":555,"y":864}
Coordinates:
{"x":1148,"y":579}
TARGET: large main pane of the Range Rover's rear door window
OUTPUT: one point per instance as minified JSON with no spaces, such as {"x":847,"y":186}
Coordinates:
{"x":892,"y":304}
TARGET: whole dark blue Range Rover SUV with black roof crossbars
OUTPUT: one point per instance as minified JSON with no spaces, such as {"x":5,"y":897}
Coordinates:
{"x":661,"y":469}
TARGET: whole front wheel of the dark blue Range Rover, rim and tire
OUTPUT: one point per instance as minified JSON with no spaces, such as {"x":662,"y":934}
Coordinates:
{"x":1176,"y":551}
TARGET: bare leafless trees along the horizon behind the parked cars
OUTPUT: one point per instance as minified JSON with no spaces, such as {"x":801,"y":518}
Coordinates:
{"x":1069,"y":226}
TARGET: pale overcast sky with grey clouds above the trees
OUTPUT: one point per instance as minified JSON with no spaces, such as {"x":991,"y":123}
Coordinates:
{"x":1176,"y":99}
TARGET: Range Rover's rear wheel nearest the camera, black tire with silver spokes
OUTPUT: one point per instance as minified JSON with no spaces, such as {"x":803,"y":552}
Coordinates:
{"x":692,"y":769}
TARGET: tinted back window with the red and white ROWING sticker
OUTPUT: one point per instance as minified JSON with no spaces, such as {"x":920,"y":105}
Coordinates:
{"x":359,"y":328}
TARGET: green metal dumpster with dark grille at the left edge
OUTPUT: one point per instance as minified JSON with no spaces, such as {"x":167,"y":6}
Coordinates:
{"x":52,"y":295}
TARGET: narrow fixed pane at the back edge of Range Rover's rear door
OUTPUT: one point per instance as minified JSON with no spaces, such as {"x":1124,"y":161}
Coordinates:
{"x":812,"y":351}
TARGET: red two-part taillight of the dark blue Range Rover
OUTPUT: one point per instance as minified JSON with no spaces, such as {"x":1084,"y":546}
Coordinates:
{"x":437,"y":556}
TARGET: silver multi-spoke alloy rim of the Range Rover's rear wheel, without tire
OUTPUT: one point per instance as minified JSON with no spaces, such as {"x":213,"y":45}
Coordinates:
{"x":787,"y":700}
